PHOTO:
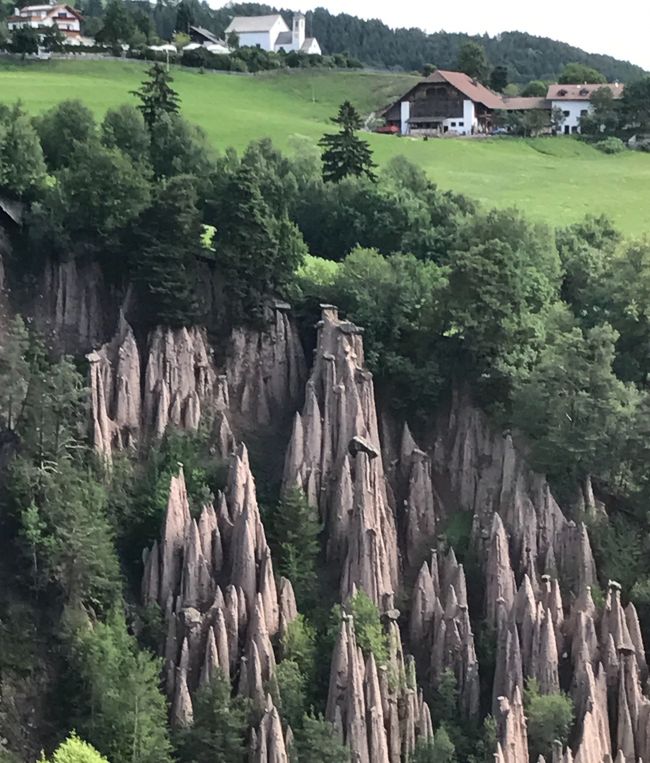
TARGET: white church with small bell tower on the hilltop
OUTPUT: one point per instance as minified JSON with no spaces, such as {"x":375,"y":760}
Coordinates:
{"x":272,"y":33}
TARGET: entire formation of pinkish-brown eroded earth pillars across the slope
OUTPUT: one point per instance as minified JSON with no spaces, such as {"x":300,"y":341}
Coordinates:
{"x":383,"y":509}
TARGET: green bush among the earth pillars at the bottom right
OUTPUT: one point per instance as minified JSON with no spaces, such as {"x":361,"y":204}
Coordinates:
{"x":549,"y":718}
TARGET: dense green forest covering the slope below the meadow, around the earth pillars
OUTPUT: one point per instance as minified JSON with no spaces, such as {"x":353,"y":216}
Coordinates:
{"x":547,"y":329}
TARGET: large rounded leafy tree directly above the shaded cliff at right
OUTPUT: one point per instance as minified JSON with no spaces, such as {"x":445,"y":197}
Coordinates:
{"x":503,"y":277}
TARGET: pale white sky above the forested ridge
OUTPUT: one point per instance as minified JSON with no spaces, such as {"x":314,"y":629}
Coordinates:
{"x":620,"y":29}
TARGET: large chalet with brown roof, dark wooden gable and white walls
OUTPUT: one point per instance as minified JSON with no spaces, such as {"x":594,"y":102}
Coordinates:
{"x":454,"y":103}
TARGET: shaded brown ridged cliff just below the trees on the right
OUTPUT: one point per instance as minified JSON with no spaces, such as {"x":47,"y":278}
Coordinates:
{"x":481,"y":471}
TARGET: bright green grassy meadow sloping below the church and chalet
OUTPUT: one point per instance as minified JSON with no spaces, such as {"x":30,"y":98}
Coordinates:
{"x":558,"y":180}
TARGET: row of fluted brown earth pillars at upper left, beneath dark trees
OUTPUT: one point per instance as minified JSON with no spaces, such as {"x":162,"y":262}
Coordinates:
{"x":137,"y":395}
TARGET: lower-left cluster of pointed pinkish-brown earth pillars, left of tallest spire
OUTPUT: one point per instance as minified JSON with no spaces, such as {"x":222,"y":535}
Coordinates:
{"x":214,"y":581}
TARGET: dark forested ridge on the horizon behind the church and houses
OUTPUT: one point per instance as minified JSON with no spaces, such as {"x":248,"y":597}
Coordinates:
{"x":527,"y":57}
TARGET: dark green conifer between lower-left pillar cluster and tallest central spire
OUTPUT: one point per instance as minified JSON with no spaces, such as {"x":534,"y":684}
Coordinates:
{"x":296,"y":529}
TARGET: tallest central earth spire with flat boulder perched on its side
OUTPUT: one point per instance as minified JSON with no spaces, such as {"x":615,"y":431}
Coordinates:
{"x":334,"y":457}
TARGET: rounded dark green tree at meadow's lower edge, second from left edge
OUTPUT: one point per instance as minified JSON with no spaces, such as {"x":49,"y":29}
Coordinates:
{"x":62,"y":130}
